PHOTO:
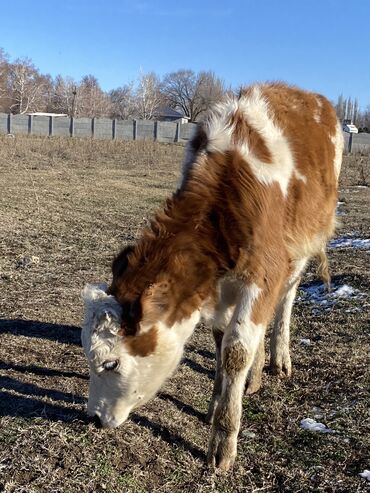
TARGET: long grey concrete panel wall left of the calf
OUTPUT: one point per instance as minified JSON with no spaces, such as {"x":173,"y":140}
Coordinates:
{"x":97,"y":128}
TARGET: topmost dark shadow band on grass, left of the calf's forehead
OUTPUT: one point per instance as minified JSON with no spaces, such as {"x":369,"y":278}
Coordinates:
{"x":66,"y":334}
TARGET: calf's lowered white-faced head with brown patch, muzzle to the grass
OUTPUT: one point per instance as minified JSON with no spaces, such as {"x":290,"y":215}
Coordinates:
{"x":128,"y":362}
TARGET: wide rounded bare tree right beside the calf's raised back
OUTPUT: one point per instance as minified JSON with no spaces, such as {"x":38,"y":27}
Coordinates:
{"x":192,"y":93}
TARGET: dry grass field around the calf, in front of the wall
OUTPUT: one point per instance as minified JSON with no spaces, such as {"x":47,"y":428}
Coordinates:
{"x":66,"y":208}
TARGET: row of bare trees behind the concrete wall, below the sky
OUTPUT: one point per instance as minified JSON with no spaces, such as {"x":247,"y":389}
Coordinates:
{"x":24,"y":89}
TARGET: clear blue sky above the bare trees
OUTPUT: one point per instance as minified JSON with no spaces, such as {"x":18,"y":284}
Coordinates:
{"x":321,"y":45}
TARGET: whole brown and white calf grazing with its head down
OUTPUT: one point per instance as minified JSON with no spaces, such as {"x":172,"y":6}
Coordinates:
{"x":257,"y":200}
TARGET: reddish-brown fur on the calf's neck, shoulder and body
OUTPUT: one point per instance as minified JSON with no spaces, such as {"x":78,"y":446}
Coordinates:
{"x":224,"y":220}
